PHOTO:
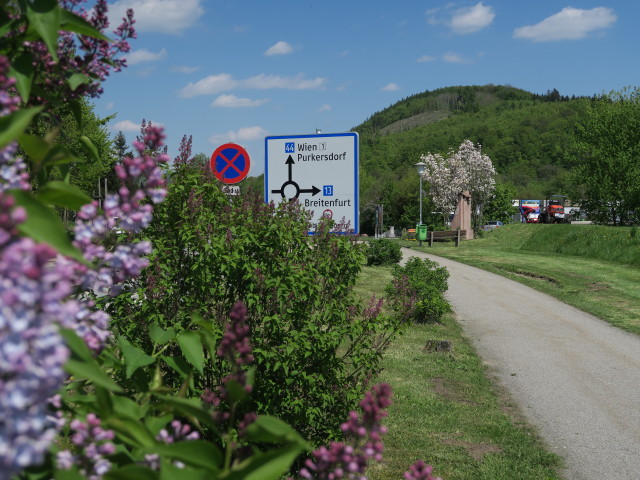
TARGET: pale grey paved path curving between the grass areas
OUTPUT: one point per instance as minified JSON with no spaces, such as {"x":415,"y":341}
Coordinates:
{"x":575,"y":377}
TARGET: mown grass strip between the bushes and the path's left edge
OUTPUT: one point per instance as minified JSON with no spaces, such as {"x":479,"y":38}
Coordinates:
{"x":447,"y":411}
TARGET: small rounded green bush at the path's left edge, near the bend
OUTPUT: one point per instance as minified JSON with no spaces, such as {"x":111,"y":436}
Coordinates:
{"x":416,"y":292}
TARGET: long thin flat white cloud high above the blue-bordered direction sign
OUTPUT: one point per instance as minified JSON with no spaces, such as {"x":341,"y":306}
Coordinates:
{"x":224,"y":82}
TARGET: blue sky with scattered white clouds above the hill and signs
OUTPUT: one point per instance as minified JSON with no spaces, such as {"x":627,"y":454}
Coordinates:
{"x":237,"y":71}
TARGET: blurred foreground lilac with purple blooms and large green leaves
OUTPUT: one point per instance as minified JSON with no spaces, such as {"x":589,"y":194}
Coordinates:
{"x":51,"y":327}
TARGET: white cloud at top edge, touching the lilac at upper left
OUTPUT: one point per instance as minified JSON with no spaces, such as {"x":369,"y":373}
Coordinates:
{"x":163,"y":16}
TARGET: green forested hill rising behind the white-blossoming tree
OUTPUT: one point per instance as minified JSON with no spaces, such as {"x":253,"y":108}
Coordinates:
{"x":527,"y":136}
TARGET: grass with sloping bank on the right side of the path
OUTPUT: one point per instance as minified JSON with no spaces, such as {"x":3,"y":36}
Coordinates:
{"x":593,"y":268}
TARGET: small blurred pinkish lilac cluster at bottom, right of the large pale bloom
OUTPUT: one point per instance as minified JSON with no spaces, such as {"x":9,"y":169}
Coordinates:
{"x":93,"y":444}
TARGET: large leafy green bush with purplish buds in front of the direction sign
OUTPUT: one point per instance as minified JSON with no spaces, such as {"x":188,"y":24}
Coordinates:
{"x":315,"y":347}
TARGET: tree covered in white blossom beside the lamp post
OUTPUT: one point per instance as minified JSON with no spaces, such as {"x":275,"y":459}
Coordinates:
{"x":467,"y":169}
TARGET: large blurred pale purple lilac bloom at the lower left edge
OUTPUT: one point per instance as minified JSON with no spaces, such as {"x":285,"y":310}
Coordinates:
{"x":32,"y":353}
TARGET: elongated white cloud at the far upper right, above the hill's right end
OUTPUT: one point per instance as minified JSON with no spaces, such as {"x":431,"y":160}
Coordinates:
{"x":568,"y":24}
